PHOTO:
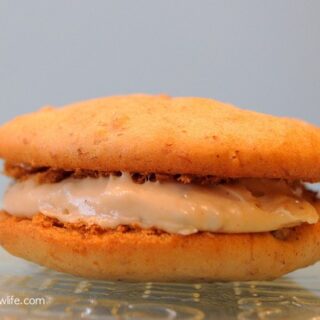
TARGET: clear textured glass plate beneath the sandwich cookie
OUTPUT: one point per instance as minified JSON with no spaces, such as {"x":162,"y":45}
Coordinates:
{"x":61,"y":296}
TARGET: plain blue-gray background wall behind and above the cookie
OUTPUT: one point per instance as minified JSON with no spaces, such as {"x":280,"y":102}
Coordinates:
{"x":262,"y":55}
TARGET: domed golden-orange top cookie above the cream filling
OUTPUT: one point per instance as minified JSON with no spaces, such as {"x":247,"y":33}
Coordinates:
{"x":142,"y":133}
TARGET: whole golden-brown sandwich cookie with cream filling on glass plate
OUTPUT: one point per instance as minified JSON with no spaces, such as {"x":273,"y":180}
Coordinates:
{"x":154,"y":188}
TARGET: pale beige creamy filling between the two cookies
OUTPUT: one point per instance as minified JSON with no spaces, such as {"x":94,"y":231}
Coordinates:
{"x":246,"y":205}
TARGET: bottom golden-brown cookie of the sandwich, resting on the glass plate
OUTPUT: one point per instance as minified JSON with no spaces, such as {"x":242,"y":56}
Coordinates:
{"x":150,"y":256}
